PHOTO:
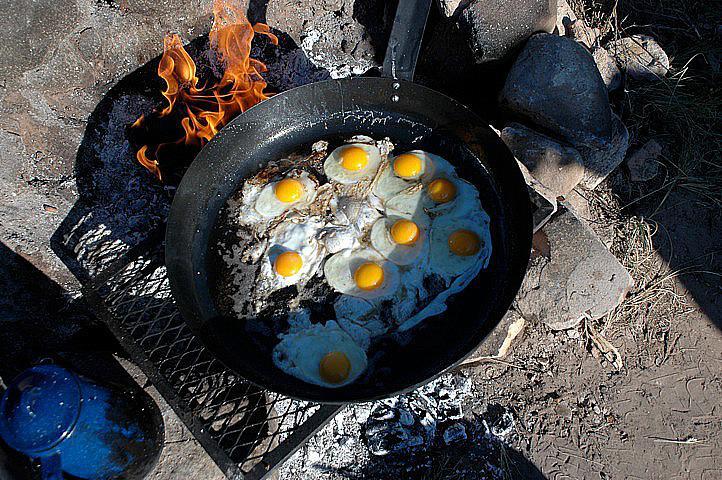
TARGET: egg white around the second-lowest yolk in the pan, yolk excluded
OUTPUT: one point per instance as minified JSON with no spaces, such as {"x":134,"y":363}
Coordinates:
{"x":339,"y":271}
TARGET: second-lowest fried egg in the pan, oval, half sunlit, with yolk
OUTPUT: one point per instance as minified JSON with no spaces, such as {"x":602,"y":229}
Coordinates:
{"x":361,"y":273}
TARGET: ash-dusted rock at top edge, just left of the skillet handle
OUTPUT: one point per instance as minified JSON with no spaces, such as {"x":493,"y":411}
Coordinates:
{"x":341,"y":36}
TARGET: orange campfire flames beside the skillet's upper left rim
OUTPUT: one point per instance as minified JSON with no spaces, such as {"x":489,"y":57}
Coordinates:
{"x":201,"y":108}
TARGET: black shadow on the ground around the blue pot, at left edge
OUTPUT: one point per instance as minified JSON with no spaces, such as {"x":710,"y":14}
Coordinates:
{"x":39,"y":323}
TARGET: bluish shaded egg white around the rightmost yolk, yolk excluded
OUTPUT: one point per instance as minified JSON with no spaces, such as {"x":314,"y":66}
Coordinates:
{"x":445,"y":263}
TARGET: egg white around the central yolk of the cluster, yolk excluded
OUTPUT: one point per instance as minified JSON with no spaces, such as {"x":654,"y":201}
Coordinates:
{"x":382,"y":241}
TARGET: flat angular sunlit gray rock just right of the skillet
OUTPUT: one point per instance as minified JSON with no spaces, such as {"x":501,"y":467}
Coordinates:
{"x":580,"y":278}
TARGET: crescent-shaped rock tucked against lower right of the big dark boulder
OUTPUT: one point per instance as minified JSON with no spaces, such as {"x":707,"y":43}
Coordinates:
{"x":601,"y":159}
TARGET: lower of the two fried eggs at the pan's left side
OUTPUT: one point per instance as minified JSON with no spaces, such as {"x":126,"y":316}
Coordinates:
{"x":293,"y":254}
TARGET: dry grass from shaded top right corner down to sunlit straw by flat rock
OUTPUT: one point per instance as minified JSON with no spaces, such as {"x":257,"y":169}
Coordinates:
{"x":684,"y":113}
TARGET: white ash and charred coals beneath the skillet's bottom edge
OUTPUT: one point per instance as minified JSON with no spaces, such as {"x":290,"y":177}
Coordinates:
{"x":409,"y":436}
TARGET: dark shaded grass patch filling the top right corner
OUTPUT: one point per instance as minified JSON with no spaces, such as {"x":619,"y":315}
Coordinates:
{"x":682,"y":111}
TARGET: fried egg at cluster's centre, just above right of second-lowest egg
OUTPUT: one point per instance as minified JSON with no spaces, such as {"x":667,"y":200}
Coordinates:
{"x":401,"y":239}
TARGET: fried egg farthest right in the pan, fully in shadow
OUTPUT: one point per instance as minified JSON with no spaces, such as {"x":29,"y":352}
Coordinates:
{"x":459,"y":244}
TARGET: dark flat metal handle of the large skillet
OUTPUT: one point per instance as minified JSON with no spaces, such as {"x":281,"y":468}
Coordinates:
{"x":405,"y":39}
